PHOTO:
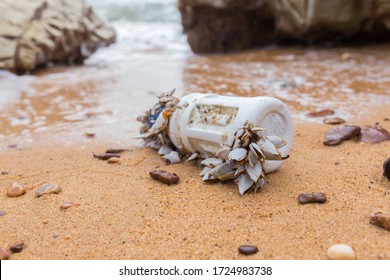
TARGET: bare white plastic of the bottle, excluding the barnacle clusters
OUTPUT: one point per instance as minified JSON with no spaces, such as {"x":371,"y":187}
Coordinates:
{"x":202,"y":122}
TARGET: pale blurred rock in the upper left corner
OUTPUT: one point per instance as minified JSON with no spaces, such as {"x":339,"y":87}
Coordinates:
{"x":36,"y":32}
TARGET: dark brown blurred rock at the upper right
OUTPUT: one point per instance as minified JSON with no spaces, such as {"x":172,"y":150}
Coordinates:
{"x":231,"y":25}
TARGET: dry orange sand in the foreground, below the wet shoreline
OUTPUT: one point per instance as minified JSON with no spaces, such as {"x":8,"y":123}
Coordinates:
{"x":125,"y":214}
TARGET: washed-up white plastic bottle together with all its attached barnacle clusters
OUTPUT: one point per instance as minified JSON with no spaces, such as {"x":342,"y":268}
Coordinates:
{"x":238,"y":138}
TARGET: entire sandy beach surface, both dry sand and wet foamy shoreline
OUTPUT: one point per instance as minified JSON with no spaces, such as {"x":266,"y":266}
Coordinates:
{"x":125,"y":214}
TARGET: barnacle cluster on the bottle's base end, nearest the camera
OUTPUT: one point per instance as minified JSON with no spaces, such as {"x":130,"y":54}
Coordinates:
{"x":243,"y":160}
